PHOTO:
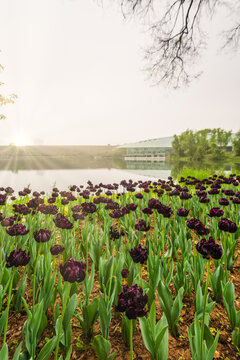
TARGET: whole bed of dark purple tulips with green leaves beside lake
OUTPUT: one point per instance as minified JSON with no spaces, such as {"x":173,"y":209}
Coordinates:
{"x":105,"y":237}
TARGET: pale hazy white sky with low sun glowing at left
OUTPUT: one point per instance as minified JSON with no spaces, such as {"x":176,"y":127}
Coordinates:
{"x":76,"y":68}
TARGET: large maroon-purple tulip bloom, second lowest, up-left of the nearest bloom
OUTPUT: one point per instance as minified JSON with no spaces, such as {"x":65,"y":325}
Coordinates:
{"x":73,"y":271}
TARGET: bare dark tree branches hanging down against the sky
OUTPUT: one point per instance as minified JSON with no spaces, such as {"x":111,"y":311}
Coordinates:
{"x":178,"y":36}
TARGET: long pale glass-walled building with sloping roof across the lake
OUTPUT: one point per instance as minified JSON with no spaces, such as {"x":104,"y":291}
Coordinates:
{"x":148,"y":150}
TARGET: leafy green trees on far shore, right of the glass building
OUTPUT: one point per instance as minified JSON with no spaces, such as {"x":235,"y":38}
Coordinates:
{"x":213,"y":143}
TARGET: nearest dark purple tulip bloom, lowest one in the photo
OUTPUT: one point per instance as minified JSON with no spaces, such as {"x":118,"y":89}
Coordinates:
{"x":132,"y":301}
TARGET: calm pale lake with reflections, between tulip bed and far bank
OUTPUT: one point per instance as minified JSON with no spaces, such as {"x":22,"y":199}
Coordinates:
{"x":42,"y":172}
